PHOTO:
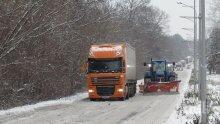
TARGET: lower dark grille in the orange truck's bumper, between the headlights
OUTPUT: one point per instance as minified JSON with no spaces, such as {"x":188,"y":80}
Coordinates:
{"x":105,"y":90}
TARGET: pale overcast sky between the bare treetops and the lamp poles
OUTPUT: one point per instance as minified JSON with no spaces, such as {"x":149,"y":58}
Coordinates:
{"x":175,"y":10}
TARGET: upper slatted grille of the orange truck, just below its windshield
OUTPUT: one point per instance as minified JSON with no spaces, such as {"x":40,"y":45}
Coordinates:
{"x":107,"y":80}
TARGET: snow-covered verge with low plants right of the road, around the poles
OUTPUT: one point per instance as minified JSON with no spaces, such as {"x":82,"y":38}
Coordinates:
{"x":188,"y":110}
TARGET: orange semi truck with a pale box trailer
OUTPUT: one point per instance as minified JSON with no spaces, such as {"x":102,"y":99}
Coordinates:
{"x":111,"y":71}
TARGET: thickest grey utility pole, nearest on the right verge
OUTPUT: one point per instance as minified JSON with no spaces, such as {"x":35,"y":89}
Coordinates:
{"x":202,"y":62}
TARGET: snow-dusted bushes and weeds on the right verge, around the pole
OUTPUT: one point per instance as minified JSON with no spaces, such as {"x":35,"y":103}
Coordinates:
{"x":189,"y":109}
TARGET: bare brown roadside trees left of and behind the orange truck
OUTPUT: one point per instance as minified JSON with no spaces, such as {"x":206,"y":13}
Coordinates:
{"x":44,"y":43}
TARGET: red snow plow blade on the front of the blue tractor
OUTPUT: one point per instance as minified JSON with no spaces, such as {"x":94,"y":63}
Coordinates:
{"x":172,"y":86}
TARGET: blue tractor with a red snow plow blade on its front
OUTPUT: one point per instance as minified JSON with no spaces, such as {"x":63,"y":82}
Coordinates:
{"x":160,"y":76}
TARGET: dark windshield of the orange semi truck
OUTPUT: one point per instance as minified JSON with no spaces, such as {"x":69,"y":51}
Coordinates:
{"x":114,"y":65}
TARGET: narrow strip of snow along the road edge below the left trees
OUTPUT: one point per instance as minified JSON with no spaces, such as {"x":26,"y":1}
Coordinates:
{"x":28,"y":108}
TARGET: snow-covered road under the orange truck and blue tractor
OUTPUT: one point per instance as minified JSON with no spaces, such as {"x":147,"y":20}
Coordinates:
{"x":141,"y":109}
